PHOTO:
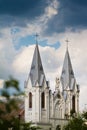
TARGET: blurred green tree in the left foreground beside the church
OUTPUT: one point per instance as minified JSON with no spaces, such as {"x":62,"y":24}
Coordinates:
{"x":10,"y":107}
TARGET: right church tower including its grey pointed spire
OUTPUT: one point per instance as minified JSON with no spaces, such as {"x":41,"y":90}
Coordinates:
{"x":70,"y":89}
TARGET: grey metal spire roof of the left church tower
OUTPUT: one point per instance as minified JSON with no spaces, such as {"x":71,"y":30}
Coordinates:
{"x":37,"y":75}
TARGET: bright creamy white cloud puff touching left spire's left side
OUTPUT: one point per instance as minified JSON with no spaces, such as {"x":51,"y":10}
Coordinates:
{"x":22,"y":60}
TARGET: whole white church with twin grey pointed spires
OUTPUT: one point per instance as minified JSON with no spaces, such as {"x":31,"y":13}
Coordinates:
{"x":48,"y":110}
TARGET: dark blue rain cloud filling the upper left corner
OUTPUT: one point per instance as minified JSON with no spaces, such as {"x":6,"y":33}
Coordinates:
{"x":18,"y":12}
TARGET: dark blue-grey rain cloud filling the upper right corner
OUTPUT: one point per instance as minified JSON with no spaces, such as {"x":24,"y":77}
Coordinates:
{"x":71,"y":14}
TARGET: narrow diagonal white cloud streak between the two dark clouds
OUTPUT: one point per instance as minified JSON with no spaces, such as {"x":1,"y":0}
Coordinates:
{"x":39,"y":24}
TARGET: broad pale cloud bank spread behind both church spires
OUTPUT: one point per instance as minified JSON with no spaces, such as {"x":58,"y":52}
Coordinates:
{"x":17,"y":62}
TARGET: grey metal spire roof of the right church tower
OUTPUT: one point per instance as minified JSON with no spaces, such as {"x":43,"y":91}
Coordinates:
{"x":67,"y":76}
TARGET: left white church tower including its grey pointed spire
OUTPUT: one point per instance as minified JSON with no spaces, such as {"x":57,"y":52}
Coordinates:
{"x":36,"y":92}
